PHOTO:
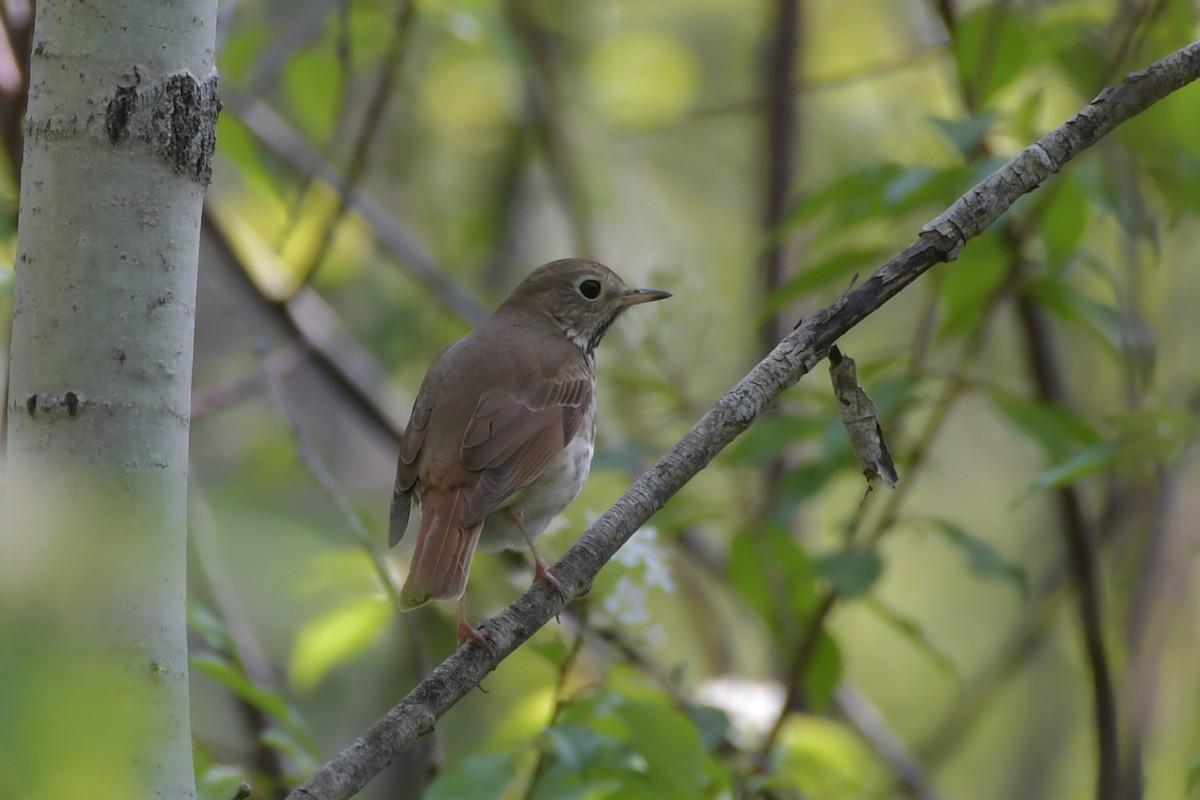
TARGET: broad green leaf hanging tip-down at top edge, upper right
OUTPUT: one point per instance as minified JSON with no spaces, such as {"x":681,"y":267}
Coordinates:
{"x":989,"y":49}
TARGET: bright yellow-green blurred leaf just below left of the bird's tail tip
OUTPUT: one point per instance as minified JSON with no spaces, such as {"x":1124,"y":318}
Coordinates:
{"x":329,"y":640}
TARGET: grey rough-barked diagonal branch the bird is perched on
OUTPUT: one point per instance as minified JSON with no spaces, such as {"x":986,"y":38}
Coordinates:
{"x":941,"y":240}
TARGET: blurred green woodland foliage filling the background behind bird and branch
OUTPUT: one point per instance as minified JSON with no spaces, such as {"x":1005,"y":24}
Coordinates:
{"x":1055,"y":356}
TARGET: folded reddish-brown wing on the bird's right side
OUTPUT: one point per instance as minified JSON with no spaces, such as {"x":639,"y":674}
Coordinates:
{"x":515,"y":434}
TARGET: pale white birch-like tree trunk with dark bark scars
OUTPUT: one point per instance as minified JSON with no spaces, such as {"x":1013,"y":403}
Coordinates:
{"x":121,"y":131}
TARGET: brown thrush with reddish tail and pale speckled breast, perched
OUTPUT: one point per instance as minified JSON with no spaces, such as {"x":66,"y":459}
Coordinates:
{"x":503,"y":429}
